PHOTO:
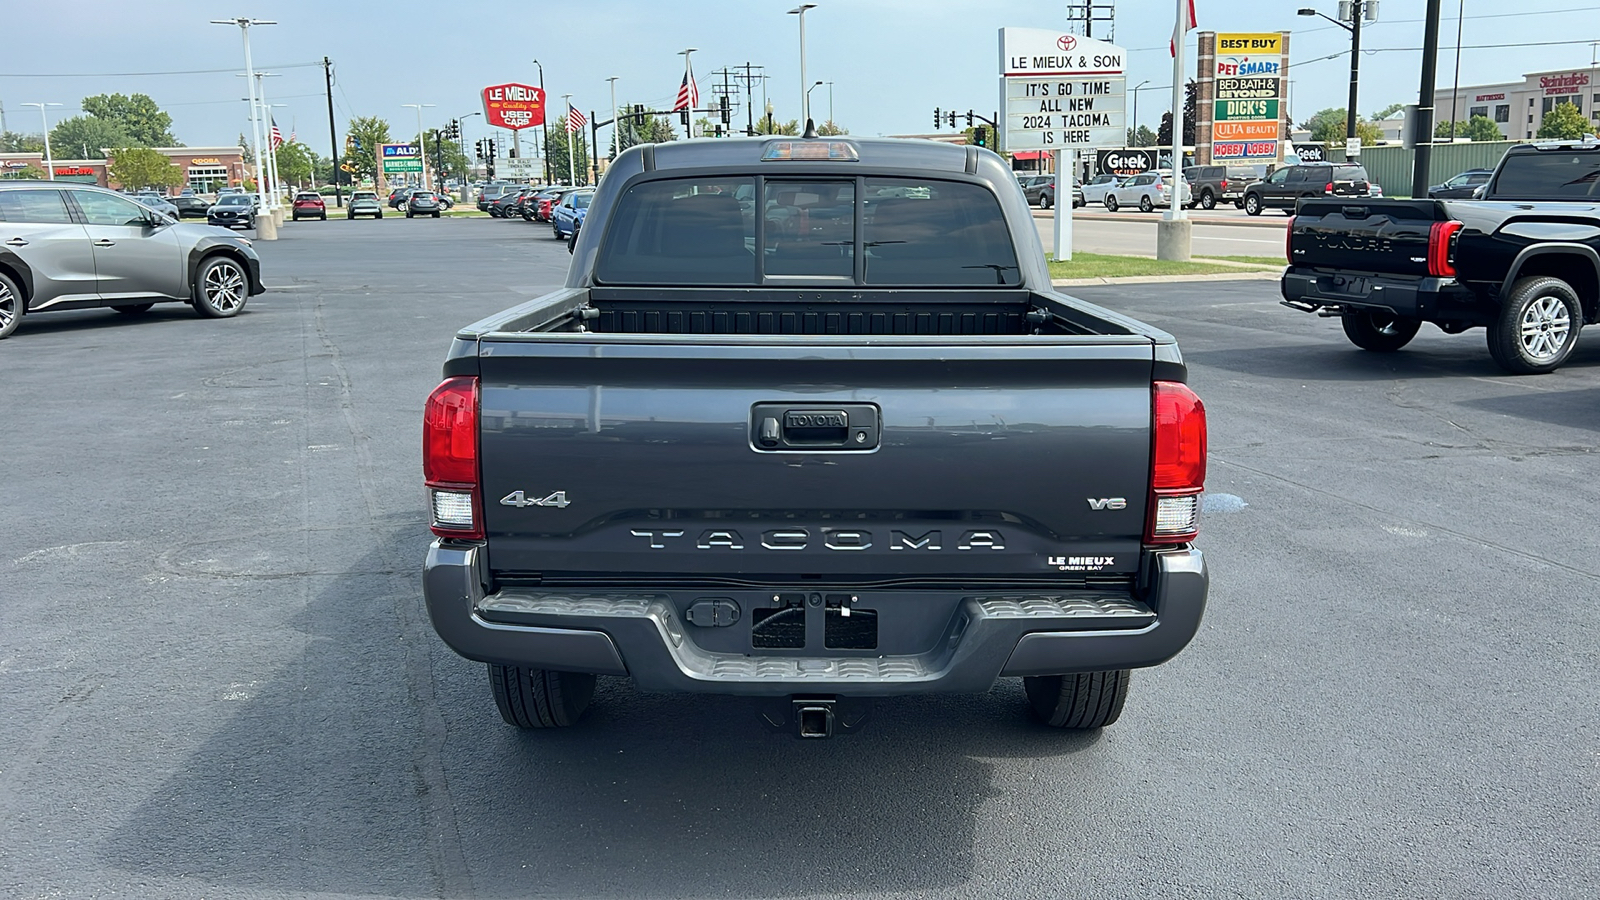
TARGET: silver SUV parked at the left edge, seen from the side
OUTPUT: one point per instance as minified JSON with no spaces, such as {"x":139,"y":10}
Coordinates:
{"x":81,"y":247}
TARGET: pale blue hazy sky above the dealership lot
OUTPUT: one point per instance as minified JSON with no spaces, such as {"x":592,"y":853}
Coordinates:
{"x":892,"y":62}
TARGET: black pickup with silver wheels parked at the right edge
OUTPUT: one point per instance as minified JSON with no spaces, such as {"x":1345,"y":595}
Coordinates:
{"x":1522,"y":260}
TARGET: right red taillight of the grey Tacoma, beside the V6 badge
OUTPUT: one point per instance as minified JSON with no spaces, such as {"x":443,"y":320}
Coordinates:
{"x":1177,"y":464}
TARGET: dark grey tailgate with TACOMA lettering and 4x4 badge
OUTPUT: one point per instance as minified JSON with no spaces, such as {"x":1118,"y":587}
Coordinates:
{"x":641,"y":457}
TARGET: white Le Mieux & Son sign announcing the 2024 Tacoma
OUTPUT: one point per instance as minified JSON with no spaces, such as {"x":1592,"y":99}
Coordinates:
{"x":1062,"y":92}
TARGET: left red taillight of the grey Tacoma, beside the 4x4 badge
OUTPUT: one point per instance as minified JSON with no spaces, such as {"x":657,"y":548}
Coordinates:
{"x":450,"y":459}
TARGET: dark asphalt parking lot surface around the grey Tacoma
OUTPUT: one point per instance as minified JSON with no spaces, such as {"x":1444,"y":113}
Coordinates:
{"x":217,"y":677}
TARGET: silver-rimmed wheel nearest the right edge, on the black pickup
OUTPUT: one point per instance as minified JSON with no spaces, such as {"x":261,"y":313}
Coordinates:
{"x":1537,"y":327}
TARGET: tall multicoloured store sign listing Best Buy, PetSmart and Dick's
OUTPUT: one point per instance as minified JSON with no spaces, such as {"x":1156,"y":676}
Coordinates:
{"x":1249,"y":82}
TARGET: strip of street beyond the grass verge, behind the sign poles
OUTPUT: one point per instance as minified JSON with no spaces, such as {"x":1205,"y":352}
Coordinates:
{"x":1217,"y":233}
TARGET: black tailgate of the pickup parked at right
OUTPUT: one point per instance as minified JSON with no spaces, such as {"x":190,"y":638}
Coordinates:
{"x":1364,"y":235}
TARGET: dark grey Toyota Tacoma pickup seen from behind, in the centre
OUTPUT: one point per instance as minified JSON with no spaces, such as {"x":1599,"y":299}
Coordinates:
{"x":810,"y":425}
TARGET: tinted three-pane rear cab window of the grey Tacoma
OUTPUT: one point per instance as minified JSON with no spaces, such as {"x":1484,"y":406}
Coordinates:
{"x":807,"y":230}
